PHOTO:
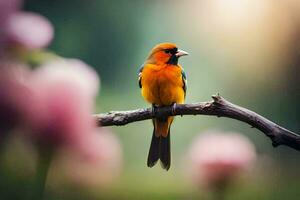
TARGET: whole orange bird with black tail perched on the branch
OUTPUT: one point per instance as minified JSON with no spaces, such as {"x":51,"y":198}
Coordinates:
{"x":163,"y":83}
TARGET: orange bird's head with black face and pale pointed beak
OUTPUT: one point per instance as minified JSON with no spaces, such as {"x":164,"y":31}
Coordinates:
{"x":165,"y":53}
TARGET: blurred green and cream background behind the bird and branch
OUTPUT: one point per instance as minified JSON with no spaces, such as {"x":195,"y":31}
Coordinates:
{"x":247,"y":53}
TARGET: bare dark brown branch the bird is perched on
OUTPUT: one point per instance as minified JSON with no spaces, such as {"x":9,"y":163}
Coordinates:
{"x":219,"y":107}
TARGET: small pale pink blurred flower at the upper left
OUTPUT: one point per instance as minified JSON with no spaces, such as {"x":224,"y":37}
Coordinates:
{"x":28,"y":30}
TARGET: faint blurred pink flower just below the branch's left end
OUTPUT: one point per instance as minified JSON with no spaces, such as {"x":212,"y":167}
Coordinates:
{"x":97,"y":164}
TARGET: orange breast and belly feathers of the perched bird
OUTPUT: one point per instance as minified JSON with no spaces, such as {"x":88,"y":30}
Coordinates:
{"x":162,"y":84}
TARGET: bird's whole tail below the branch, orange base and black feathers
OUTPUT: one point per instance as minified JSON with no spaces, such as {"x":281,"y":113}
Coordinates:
{"x":160,"y":148}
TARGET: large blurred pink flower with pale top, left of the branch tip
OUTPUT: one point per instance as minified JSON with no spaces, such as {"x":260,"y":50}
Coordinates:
{"x":63,"y":102}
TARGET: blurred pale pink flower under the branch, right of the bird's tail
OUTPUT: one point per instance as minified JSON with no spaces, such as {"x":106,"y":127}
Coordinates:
{"x":218,"y":158}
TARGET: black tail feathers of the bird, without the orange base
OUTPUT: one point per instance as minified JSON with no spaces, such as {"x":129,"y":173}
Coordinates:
{"x":160,"y":148}
